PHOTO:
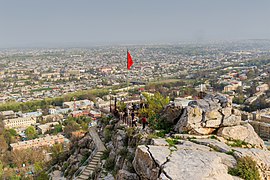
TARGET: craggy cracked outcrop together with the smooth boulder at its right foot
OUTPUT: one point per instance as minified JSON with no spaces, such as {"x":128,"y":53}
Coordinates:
{"x":215,"y":113}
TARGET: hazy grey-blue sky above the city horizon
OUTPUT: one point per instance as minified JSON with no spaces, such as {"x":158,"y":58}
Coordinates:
{"x":78,"y":22}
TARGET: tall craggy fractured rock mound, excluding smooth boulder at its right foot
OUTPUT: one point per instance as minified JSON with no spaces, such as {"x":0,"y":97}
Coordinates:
{"x":204,"y":116}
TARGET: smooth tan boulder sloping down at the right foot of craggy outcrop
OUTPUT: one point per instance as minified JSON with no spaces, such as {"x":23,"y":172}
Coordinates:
{"x":242,"y":132}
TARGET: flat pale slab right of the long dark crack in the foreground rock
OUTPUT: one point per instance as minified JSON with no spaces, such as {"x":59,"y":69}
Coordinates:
{"x":196,"y":164}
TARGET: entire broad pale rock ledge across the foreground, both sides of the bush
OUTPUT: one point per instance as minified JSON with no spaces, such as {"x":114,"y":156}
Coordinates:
{"x":195,"y":159}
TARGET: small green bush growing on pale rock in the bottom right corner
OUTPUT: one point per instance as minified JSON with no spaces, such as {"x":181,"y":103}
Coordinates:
{"x":246,"y":169}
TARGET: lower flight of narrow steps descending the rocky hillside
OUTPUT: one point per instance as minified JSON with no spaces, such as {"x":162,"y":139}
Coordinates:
{"x":91,"y":167}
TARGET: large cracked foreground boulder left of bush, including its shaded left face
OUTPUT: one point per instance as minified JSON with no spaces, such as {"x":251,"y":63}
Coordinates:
{"x":187,"y":161}
